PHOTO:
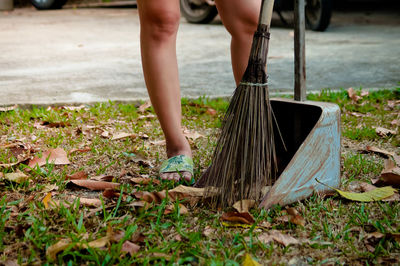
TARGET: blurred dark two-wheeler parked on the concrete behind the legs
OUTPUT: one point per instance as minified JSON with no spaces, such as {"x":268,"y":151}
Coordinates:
{"x":318,"y":12}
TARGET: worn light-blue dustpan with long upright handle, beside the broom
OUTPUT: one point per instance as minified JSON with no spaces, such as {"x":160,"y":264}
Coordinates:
{"x":307,"y":136}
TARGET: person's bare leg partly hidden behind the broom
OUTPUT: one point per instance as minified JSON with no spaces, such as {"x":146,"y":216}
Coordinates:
{"x":240,"y":18}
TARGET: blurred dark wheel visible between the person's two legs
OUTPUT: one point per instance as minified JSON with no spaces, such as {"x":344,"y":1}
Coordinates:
{"x":198,"y":11}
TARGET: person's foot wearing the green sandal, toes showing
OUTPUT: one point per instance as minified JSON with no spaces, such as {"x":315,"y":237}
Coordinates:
{"x":174,"y":151}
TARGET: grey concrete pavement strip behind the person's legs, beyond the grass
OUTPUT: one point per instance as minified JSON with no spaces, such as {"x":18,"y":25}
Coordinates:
{"x":89,"y":55}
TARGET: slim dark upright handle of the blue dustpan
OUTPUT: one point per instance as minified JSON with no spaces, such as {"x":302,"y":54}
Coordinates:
{"x":299,"y":51}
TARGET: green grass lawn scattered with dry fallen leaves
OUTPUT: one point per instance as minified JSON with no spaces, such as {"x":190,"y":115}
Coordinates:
{"x":338,"y":229}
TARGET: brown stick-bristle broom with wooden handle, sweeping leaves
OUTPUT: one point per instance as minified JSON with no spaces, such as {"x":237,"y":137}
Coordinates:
{"x":244,"y":160}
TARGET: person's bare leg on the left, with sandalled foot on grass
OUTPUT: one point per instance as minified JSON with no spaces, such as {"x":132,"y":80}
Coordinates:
{"x":159,"y":21}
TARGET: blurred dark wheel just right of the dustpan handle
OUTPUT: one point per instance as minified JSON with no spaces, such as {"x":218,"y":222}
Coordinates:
{"x":318,"y":14}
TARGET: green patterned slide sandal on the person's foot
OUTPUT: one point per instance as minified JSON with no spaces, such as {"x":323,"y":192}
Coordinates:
{"x":180,"y":163}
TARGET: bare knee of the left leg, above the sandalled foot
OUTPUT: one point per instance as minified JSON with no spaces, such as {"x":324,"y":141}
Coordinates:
{"x":161,"y":26}
